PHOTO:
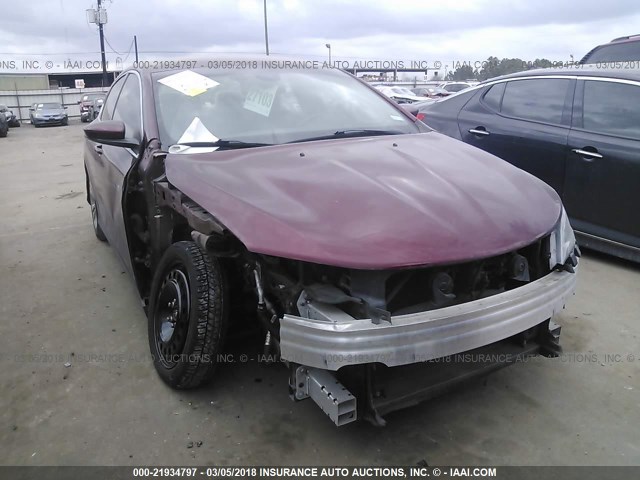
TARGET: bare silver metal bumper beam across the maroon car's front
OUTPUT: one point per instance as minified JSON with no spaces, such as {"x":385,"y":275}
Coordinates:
{"x":332,"y":339}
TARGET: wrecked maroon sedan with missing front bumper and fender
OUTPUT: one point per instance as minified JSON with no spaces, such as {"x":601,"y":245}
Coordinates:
{"x":371,"y":251}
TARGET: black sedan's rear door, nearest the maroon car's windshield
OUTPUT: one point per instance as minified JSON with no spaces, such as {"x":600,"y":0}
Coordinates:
{"x":525,"y":122}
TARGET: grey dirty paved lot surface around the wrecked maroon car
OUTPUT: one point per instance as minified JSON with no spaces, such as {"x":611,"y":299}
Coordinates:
{"x":64,"y":298}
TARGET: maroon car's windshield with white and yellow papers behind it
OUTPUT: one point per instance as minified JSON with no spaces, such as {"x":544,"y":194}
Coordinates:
{"x":269,"y":106}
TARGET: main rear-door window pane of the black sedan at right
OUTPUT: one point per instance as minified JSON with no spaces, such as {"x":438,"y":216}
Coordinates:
{"x":536,"y":99}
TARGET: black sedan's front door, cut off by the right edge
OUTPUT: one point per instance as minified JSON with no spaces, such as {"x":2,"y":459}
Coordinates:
{"x":603,"y":160}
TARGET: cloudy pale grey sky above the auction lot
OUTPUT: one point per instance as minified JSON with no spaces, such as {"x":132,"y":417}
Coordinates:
{"x":380,"y":30}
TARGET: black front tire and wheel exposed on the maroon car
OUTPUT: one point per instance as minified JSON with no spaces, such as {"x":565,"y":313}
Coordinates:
{"x":187,"y":316}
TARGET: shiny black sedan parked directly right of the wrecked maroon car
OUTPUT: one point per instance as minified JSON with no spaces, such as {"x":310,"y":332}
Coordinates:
{"x":578,"y":130}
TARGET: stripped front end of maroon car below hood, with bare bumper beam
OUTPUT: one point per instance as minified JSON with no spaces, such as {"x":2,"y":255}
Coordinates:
{"x":368,"y":342}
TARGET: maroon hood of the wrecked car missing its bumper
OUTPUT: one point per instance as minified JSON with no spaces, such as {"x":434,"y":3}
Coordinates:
{"x":370,"y":203}
